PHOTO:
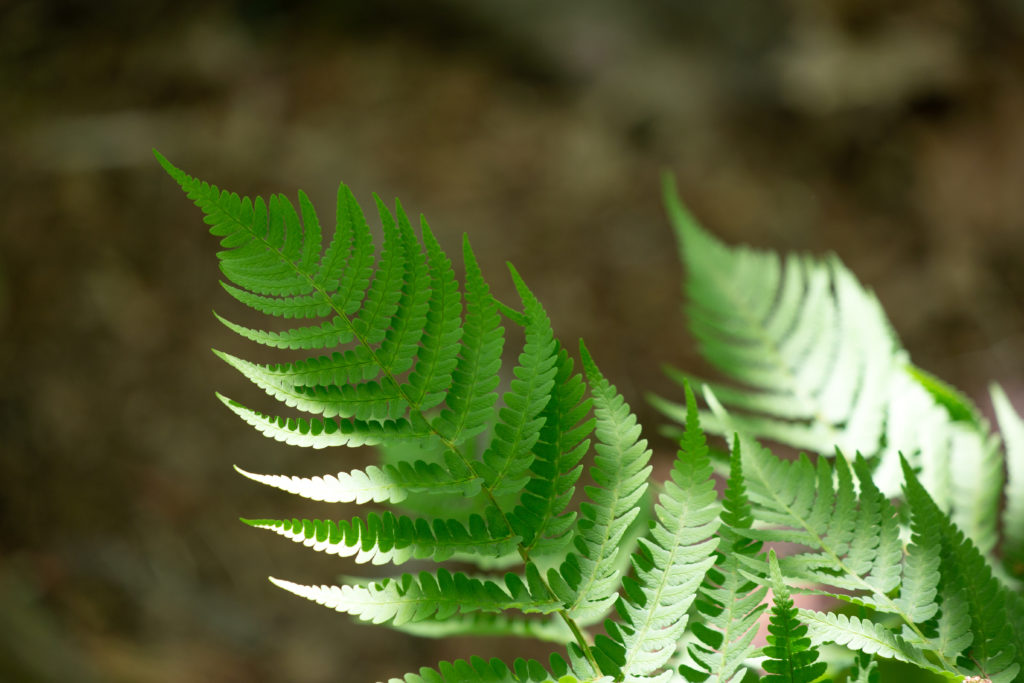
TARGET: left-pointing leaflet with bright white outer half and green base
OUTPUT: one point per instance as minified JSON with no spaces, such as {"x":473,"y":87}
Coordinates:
{"x":392,"y":484}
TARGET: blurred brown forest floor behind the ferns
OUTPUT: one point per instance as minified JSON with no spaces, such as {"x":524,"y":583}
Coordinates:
{"x":892,"y":134}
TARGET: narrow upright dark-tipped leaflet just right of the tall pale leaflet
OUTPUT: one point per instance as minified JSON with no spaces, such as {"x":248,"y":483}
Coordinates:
{"x":730,"y":604}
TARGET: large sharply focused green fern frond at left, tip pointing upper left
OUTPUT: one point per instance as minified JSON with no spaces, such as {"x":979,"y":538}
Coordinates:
{"x":404,"y":358}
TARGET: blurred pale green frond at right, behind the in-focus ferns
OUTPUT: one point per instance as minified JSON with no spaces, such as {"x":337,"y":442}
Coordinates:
{"x":819,"y":367}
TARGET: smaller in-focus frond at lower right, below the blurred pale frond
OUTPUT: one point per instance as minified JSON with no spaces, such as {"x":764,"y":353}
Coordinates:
{"x":937,"y":606}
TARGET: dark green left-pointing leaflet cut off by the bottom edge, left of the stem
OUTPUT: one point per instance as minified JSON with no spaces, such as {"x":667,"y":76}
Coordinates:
{"x":479,"y":670}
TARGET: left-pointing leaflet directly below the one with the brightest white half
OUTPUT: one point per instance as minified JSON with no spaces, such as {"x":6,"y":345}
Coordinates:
{"x":389,"y":538}
